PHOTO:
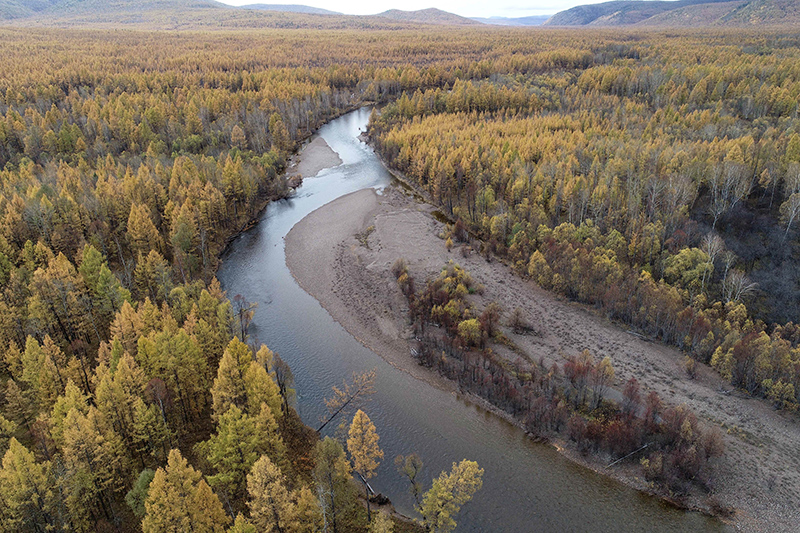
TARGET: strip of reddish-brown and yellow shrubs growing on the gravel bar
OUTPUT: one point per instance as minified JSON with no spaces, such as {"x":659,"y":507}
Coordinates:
{"x":569,"y":399}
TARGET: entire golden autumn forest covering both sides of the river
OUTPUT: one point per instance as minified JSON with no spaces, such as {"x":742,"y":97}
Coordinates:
{"x":611,"y":168}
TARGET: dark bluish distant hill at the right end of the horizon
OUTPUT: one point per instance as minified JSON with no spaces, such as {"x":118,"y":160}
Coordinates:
{"x":681,"y":13}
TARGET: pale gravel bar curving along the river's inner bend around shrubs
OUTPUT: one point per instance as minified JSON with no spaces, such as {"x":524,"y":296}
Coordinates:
{"x":338,"y":259}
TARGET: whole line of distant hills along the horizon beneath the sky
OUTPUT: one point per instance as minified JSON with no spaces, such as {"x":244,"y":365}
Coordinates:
{"x":199,"y":14}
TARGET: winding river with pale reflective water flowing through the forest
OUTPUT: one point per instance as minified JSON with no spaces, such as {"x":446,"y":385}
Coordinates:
{"x":528,"y":487}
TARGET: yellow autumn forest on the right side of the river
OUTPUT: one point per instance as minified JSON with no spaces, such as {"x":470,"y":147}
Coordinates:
{"x":658,"y":183}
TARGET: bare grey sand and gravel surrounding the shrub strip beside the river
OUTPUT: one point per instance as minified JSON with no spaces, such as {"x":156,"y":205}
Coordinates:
{"x":350,"y":281}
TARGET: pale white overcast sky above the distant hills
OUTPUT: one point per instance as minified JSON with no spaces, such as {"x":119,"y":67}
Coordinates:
{"x":467,"y":8}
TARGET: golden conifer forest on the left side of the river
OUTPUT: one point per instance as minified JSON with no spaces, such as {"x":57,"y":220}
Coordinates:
{"x":132,"y":397}
